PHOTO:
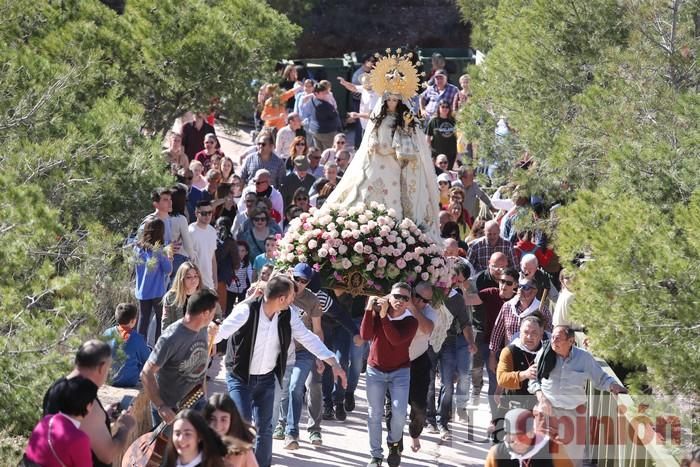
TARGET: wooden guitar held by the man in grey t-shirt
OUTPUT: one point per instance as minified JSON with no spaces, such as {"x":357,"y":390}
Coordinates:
{"x":148,"y":449}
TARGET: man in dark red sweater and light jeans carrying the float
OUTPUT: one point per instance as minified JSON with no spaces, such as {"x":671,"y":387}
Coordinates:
{"x":390,"y":328}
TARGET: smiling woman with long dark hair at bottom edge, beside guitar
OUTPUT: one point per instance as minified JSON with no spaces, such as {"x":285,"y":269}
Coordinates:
{"x":193,"y":443}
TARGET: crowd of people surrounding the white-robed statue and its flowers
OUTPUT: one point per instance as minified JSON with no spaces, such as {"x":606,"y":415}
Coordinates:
{"x":206,"y":284}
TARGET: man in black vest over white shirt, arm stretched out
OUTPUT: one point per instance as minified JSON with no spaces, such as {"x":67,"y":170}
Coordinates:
{"x":260,"y":331}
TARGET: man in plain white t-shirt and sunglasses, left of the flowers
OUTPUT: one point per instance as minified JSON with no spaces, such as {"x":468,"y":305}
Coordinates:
{"x":204,"y":243}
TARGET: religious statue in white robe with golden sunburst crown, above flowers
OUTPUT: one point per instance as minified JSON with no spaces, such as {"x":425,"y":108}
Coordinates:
{"x":393,"y":165}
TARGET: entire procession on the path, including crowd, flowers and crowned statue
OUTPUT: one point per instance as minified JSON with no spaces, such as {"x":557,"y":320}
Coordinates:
{"x":351,"y":284}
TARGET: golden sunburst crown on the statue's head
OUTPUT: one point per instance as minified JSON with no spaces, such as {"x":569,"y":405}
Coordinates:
{"x":395,"y":74}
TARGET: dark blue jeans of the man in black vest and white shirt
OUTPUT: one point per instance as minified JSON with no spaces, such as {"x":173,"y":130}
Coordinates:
{"x":254,"y":401}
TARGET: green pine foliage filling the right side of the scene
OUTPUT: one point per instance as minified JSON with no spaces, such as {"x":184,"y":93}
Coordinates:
{"x":603,"y":95}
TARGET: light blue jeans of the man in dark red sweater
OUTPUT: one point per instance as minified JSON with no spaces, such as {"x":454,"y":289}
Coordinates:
{"x":398,"y":383}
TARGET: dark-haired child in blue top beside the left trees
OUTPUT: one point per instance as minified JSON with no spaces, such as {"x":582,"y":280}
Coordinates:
{"x":129,"y":348}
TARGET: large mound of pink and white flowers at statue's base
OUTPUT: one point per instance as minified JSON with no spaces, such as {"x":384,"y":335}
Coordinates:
{"x":363,"y":248}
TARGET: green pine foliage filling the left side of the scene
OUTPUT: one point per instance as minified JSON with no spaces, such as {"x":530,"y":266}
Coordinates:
{"x":78,"y":85}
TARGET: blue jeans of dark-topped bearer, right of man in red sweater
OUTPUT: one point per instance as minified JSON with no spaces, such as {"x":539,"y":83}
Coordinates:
{"x":455,"y":361}
